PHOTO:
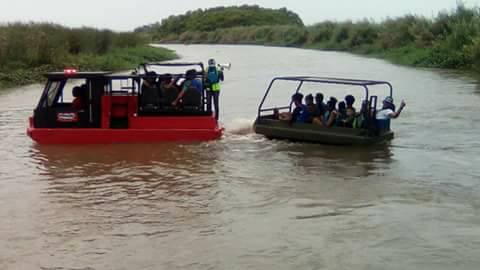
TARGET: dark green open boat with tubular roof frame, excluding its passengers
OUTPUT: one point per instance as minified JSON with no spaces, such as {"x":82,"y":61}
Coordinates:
{"x":370,"y":133}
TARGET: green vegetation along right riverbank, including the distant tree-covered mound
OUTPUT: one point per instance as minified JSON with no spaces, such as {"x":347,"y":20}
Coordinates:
{"x":450,"y":40}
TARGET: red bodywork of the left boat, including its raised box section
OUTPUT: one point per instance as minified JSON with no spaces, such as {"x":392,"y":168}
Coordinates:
{"x":137,"y":128}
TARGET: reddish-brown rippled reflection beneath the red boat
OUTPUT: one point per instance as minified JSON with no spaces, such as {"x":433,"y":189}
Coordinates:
{"x":115,"y":173}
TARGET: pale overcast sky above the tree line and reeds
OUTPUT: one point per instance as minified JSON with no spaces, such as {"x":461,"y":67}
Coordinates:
{"x":126,"y":15}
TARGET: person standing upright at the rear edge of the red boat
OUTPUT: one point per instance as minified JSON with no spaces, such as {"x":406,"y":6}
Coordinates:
{"x":214,"y":77}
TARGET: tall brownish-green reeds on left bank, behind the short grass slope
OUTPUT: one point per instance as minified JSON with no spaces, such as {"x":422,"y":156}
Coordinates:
{"x":33,"y":45}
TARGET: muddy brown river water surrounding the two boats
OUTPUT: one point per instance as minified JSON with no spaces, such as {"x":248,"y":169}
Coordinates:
{"x":245,"y":202}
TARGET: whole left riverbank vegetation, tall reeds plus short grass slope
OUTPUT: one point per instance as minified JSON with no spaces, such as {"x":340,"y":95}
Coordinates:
{"x":29,"y":50}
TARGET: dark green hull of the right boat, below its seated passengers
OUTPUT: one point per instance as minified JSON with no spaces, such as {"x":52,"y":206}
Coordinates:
{"x":276,"y":129}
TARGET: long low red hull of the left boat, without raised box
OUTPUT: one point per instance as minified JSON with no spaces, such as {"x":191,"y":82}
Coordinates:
{"x":140,"y":130}
